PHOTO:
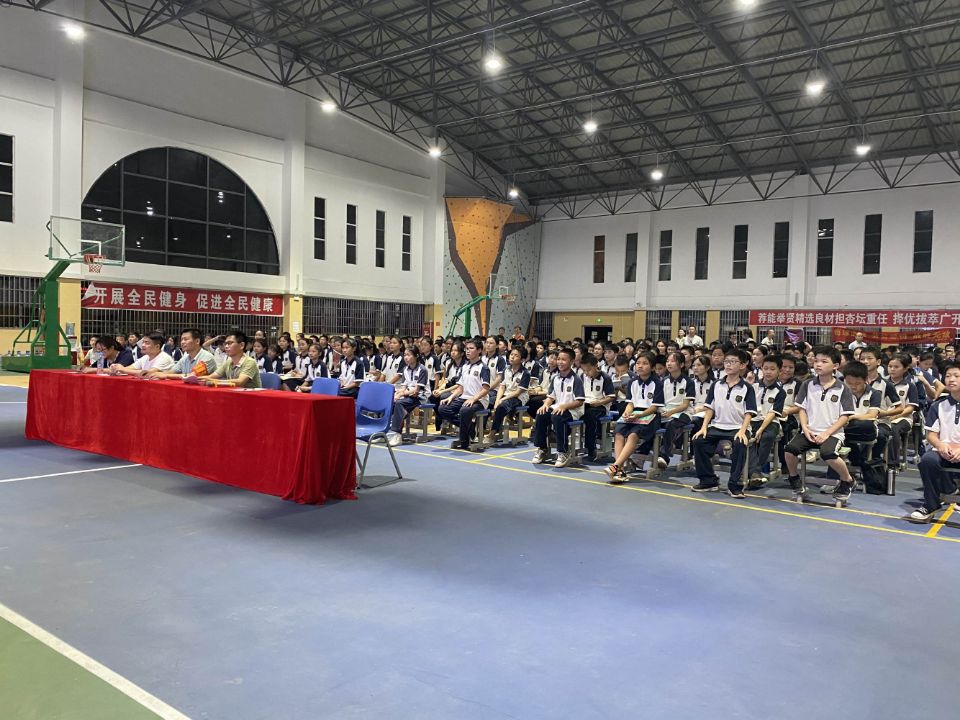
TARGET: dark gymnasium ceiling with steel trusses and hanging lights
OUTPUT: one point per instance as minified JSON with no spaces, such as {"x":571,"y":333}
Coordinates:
{"x":702,"y":89}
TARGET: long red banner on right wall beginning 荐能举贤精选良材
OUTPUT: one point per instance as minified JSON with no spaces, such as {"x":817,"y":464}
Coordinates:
{"x":857,"y":318}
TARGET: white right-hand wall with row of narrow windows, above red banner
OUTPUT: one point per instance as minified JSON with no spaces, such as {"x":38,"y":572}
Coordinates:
{"x":566,"y":267}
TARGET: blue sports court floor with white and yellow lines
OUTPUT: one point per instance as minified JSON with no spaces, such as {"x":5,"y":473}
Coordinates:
{"x":481,"y":587}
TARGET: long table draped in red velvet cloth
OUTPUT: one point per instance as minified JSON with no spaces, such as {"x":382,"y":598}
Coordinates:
{"x":296,"y":446}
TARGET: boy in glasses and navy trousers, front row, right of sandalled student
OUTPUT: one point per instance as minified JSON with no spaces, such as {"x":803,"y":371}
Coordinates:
{"x":730,"y":405}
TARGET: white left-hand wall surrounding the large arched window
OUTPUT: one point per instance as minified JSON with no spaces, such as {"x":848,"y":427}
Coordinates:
{"x":126,"y":95}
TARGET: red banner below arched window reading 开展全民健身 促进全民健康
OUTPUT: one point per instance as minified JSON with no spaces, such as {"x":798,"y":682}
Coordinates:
{"x":150,"y":297}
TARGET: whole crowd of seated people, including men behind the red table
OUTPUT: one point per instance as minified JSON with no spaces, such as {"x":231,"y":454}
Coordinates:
{"x":747,"y":398}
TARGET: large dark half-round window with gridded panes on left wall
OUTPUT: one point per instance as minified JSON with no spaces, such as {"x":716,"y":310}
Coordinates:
{"x":183,"y":208}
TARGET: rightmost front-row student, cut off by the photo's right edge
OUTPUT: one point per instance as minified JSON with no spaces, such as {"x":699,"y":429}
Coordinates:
{"x":942,"y":424}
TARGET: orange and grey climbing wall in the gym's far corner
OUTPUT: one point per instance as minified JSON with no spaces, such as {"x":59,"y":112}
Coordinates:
{"x":484,"y":238}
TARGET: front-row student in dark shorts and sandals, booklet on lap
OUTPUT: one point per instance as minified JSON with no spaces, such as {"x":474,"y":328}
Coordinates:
{"x":637,"y":427}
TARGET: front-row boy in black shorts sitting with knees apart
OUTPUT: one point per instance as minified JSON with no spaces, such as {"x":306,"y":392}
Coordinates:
{"x":826,"y":406}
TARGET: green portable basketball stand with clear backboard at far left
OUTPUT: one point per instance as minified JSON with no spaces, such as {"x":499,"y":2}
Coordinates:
{"x":42,"y":344}
